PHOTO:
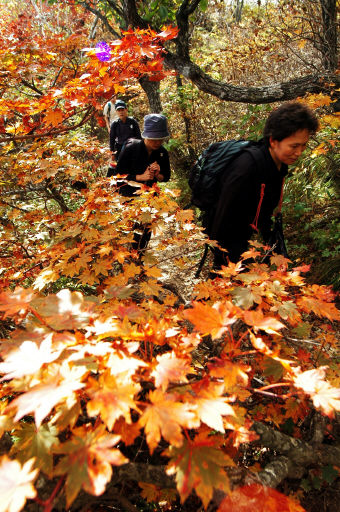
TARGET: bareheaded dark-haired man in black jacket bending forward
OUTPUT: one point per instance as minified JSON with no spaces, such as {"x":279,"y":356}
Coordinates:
{"x":252,"y":186}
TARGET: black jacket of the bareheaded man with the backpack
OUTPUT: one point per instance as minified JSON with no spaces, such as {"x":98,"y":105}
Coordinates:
{"x":240,"y":185}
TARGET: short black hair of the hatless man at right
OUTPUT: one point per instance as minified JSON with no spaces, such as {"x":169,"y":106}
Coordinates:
{"x":289,"y":118}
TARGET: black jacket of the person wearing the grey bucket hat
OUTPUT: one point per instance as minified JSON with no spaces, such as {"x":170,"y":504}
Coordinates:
{"x":134,"y":159}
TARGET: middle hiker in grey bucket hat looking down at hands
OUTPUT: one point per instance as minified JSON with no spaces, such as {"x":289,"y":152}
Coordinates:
{"x":145,"y":162}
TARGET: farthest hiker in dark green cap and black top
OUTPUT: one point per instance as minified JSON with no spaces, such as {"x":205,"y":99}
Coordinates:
{"x":122,"y":129}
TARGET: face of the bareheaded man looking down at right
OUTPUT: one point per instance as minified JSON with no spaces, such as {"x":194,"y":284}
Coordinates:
{"x":288,"y":150}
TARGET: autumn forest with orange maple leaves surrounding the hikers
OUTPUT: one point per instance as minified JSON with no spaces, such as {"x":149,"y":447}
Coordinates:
{"x":193,"y":388}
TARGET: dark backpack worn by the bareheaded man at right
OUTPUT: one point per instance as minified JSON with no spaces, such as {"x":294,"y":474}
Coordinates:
{"x":206,"y":171}
